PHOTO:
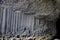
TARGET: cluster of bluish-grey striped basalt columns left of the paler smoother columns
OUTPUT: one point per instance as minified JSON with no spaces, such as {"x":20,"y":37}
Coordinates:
{"x":10,"y":21}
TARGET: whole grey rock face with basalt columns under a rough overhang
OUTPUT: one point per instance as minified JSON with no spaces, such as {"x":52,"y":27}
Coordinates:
{"x":28,"y":17}
